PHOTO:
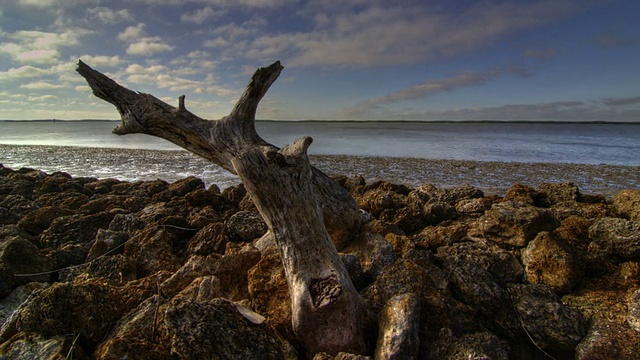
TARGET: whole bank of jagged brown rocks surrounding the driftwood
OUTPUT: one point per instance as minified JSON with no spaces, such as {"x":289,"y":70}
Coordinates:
{"x":110,"y":269}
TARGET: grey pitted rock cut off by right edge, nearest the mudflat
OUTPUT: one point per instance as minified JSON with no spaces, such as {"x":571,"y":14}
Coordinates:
{"x":617,"y":237}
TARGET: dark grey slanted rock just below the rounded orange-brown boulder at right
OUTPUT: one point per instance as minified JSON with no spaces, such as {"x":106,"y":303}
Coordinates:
{"x":552,"y":325}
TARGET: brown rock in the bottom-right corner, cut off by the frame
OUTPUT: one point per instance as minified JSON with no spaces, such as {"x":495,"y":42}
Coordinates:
{"x":609,"y":340}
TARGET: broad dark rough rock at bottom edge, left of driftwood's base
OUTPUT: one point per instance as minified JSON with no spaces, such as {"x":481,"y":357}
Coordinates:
{"x":217,"y":327}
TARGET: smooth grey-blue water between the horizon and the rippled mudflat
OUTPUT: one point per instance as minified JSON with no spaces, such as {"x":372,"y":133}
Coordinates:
{"x":613,"y":144}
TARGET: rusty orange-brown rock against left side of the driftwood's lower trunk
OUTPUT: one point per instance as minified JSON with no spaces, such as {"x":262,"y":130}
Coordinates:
{"x":269,"y":291}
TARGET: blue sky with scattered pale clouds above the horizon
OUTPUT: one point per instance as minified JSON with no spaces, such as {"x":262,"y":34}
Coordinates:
{"x":551,"y":60}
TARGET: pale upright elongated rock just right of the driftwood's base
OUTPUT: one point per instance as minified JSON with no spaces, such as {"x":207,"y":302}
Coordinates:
{"x":398,"y":336}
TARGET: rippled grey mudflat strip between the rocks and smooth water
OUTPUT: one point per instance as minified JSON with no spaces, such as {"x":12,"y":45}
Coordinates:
{"x":491,"y":177}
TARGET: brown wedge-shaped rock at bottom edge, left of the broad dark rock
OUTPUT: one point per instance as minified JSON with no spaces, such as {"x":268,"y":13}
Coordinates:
{"x":133,"y":336}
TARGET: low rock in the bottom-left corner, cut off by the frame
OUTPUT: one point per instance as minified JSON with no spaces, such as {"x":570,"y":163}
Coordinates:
{"x":35,"y":346}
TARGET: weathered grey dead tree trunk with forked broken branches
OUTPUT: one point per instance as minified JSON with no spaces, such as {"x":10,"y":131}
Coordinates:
{"x":308,"y":214}
